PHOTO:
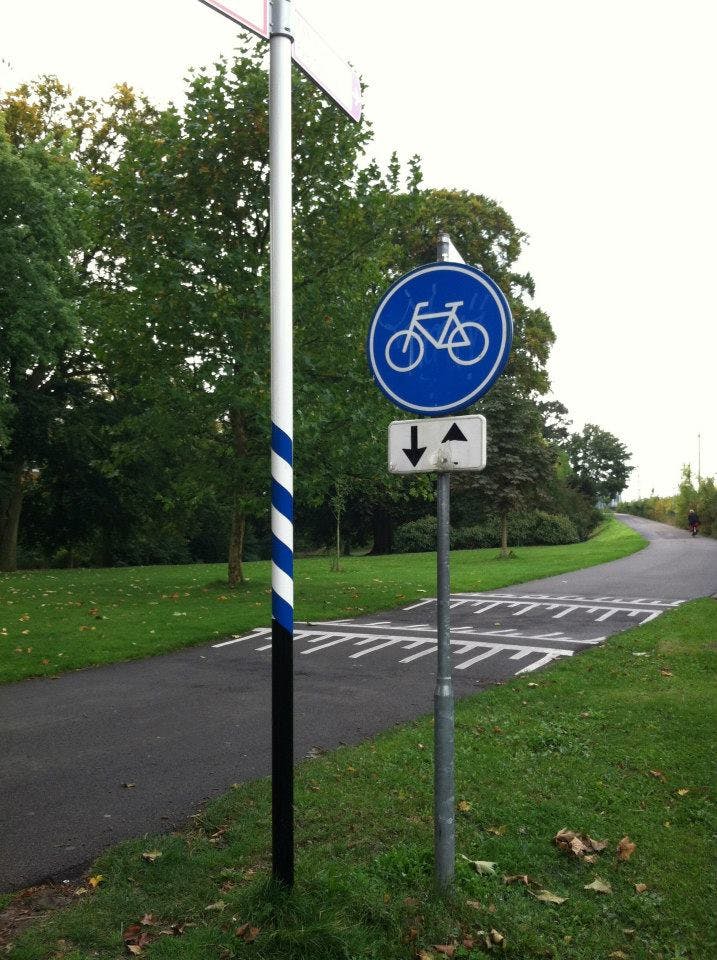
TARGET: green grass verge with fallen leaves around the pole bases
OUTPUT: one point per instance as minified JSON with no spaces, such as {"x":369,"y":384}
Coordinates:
{"x":610,"y":743}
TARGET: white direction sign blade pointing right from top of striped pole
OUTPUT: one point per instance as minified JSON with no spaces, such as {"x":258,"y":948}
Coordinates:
{"x":325,"y":67}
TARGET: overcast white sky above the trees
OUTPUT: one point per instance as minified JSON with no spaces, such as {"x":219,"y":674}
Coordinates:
{"x":593,"y":123}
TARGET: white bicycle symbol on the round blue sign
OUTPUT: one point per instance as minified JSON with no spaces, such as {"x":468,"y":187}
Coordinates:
{"x":466,"y":342}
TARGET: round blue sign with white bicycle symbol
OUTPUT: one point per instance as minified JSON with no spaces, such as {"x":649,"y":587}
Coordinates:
{"x":439,"y":338}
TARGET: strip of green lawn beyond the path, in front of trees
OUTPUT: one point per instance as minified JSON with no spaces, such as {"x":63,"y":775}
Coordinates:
{"x":57,"y":620}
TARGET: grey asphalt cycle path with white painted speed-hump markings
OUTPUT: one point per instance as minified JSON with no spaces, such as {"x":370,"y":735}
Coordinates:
{"x":103,"y":754}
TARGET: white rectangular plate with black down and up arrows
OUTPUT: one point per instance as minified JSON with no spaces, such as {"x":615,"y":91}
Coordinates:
{"x":443,"y":445}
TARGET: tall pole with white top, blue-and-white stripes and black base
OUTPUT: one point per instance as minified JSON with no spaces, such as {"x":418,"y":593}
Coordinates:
{"x":282,"y":433}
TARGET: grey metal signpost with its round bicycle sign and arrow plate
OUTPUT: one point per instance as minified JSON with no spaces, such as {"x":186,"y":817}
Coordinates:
{"x":438,"y":341}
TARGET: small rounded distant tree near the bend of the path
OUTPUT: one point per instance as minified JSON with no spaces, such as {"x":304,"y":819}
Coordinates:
{"x":600,"y":463}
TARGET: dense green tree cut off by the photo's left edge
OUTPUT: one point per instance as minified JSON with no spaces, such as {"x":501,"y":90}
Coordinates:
{"x":42,"y":200}
